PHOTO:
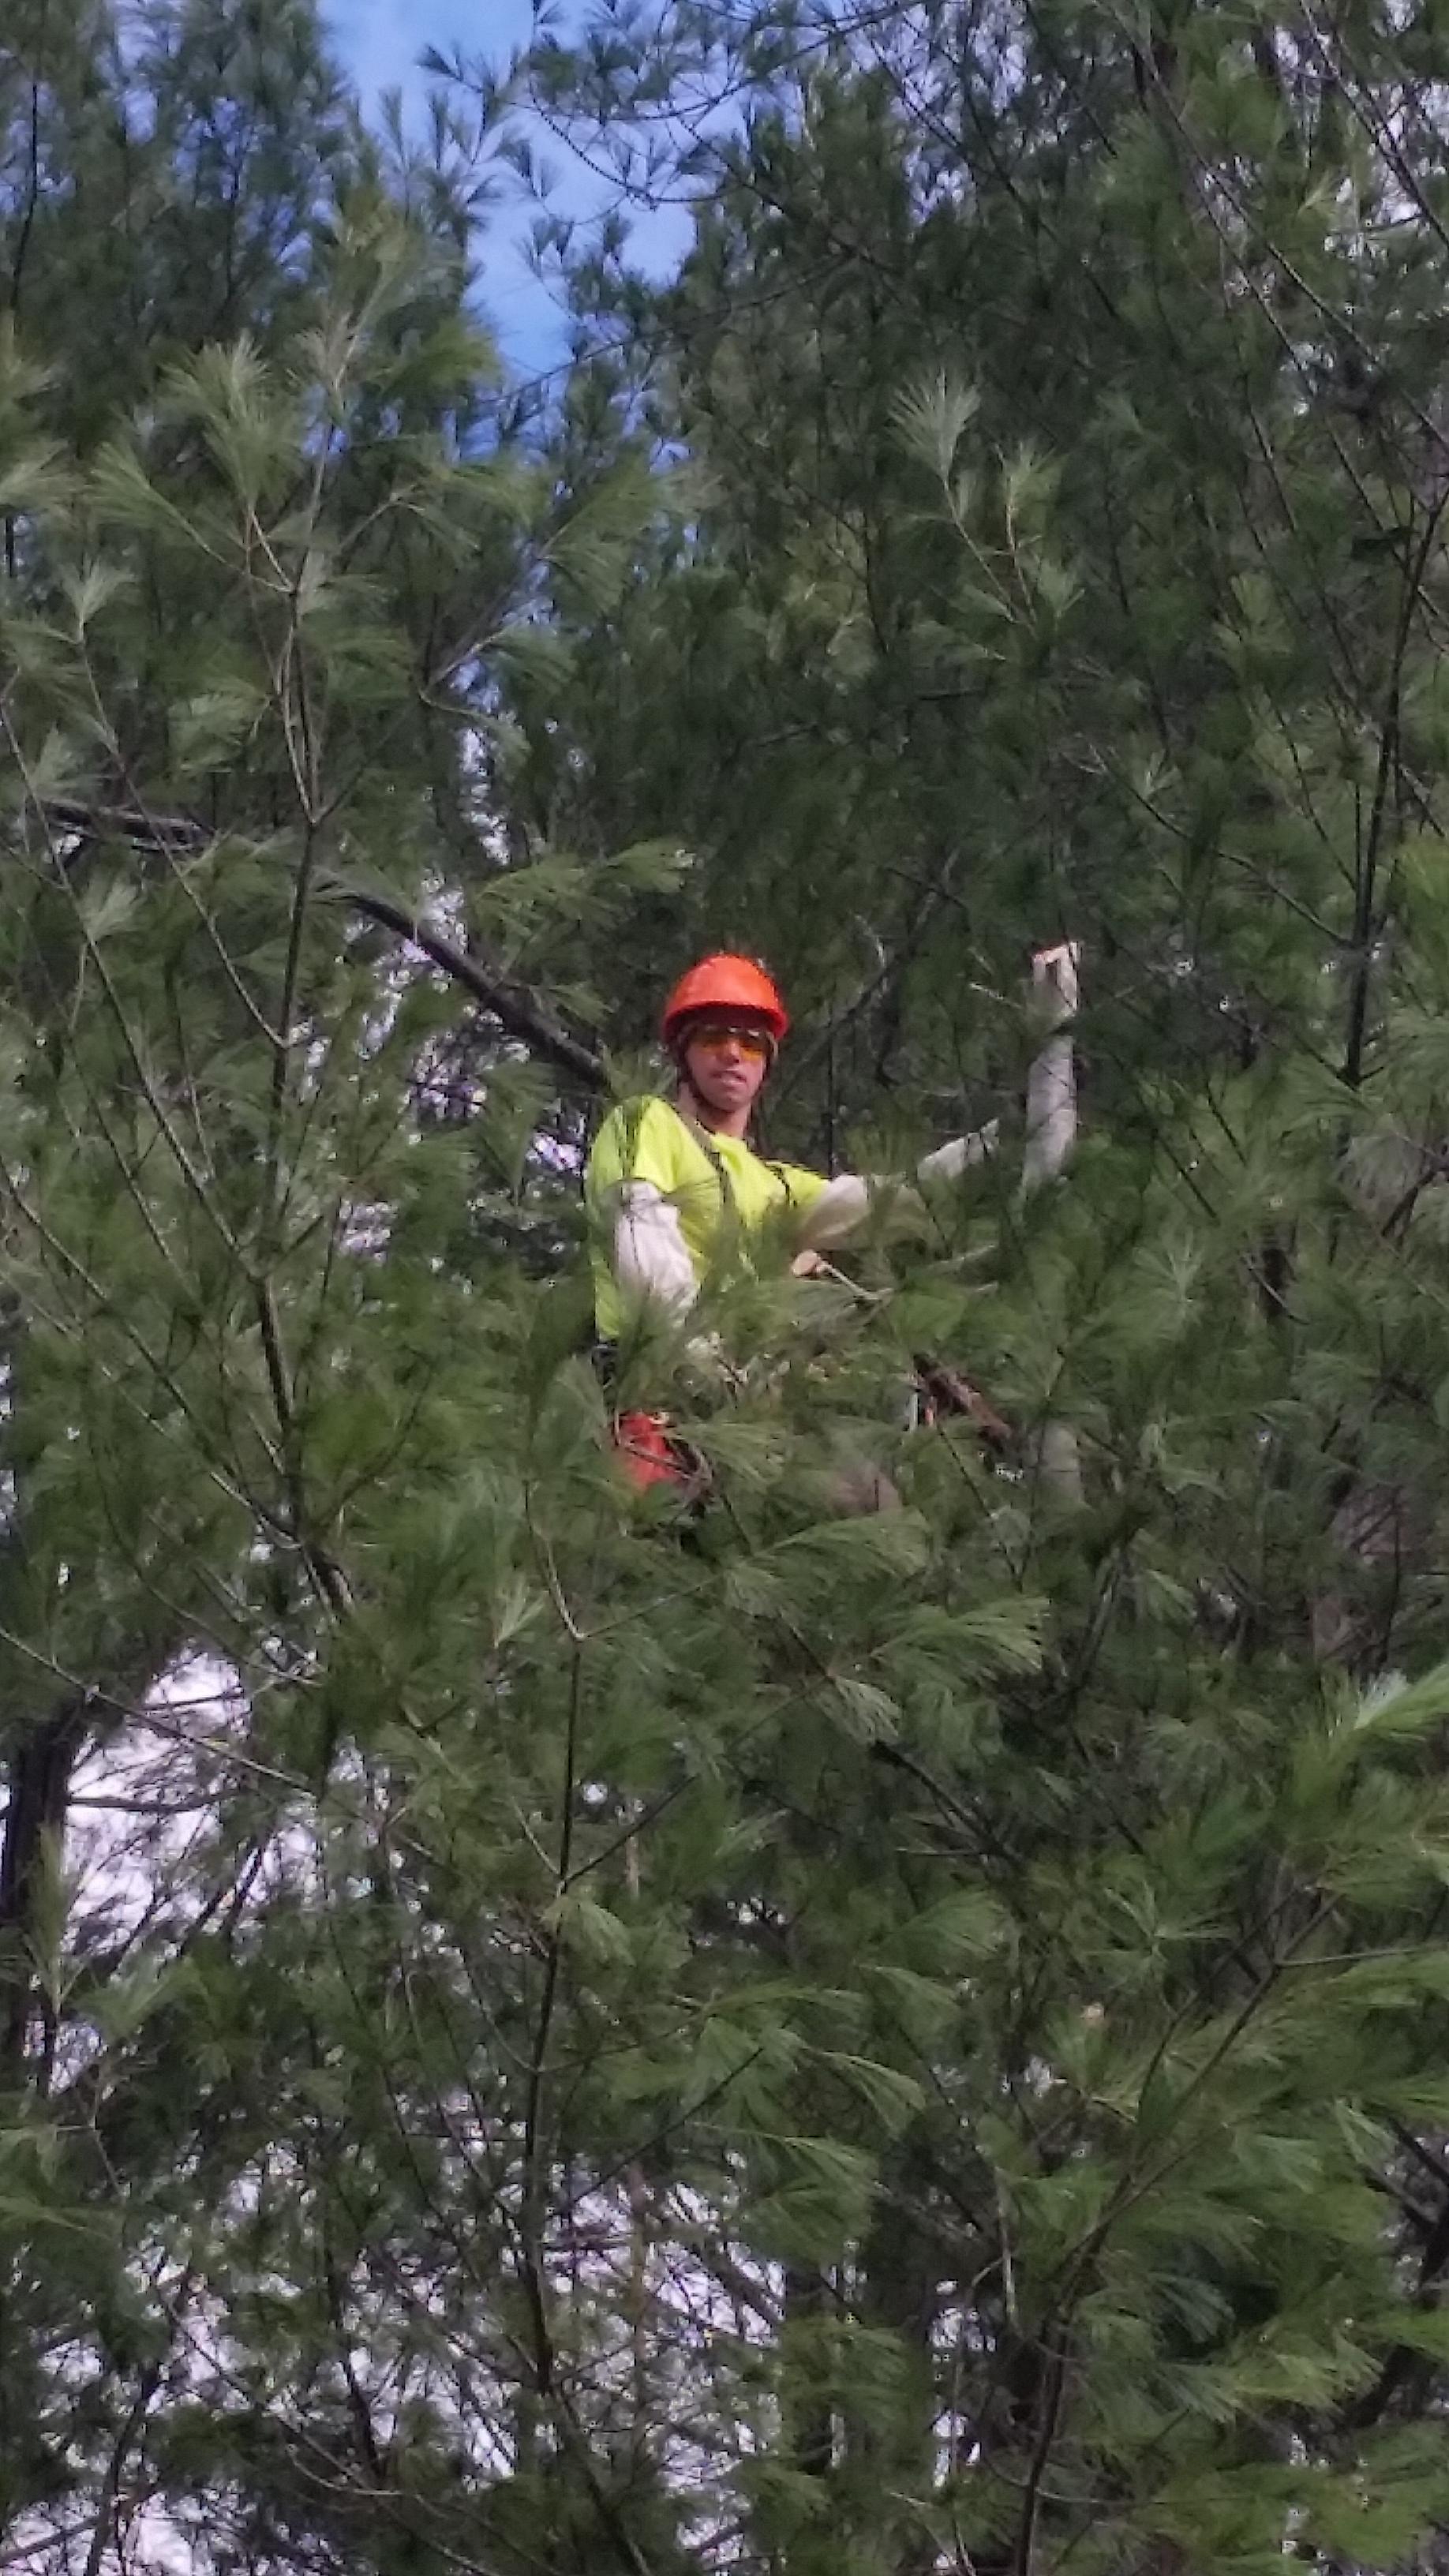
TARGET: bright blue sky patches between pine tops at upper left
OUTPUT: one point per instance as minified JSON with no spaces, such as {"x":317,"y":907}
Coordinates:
{"x":380,"y":45}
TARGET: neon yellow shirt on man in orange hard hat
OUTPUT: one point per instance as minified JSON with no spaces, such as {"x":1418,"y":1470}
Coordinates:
{"x":726,"y":1194}
